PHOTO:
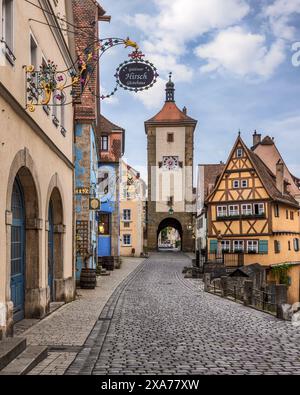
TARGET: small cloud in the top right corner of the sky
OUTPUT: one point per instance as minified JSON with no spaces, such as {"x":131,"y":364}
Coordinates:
{"x":280,"y":14}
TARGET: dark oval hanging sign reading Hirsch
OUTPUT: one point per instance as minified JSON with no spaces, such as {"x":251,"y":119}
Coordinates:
{"x":136,"y":75}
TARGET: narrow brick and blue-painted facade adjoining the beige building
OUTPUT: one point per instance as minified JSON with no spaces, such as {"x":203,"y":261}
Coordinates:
{"x":86,"y":117}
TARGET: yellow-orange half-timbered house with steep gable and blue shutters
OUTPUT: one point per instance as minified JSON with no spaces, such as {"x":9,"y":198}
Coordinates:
{"x":253,"y":217}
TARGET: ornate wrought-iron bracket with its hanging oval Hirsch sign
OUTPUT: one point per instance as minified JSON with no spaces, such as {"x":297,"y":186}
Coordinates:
{"x":48,"y":86}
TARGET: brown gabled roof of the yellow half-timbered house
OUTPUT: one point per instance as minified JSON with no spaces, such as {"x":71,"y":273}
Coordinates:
{"x":267,"y":178}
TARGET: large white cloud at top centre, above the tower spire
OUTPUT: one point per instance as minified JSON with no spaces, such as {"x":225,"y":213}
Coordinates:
{"x":178,"y":22}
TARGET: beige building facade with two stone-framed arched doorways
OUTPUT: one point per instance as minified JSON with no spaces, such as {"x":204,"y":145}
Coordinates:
{"x":36,"y":221}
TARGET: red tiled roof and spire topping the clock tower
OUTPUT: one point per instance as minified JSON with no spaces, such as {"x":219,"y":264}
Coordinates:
{"x":170,"y":113}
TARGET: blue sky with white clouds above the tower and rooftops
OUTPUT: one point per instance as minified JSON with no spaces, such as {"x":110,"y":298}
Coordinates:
{"x":232,"y":66}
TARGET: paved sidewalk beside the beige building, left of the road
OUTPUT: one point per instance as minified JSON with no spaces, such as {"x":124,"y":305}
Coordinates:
{"x":66,"y":330}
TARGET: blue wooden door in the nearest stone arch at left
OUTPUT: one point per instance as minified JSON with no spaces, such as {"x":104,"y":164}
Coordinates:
{"x":18,"y":252}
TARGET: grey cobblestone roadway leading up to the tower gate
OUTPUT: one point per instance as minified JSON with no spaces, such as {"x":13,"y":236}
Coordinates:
{"x":161,"y":323}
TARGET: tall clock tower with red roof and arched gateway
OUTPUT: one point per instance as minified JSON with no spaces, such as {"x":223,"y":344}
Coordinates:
{"x":171,"y":201}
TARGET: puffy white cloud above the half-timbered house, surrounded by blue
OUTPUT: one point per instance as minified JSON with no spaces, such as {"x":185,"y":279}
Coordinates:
{"x":240,"y":52}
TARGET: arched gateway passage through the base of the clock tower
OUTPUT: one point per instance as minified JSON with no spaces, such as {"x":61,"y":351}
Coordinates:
{"x":169,"y":235}
